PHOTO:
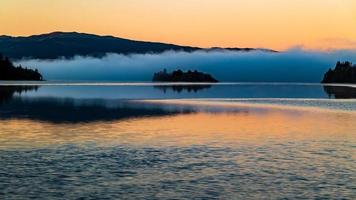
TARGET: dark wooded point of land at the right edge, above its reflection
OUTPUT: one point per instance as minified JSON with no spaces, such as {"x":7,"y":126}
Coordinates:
{"x":344,"y":72}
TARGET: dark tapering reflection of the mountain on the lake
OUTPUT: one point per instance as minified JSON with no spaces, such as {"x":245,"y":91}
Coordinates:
{"x":76,"y":111}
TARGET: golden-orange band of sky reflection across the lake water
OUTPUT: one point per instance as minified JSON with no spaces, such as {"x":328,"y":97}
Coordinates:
{"x":201,"y":128}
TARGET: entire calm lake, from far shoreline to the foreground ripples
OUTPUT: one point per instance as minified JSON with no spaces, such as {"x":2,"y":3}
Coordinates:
{"x":61,"y":140}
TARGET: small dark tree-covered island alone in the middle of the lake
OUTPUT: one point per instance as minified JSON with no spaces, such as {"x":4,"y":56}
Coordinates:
{"x":180,"y":76}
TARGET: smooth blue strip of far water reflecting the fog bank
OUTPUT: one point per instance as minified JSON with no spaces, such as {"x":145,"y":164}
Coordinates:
{"x":178,"y":91}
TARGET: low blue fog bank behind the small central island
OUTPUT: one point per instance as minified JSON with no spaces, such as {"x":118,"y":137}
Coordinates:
{"x":291,"y":66}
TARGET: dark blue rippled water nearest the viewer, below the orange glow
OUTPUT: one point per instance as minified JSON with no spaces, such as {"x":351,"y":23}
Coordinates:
{"x":196,"y":172}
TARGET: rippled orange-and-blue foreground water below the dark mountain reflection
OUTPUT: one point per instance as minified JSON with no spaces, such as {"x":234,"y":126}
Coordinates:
{"x":248,"y":155}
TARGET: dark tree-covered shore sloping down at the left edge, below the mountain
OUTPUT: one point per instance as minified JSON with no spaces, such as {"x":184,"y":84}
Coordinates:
{"x":9,"y":72}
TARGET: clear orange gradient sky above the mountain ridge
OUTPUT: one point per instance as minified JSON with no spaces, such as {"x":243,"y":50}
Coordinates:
{"x":277,"y":24}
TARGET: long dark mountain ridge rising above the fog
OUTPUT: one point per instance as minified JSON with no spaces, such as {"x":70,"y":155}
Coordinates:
{"x":68,"y":44}
